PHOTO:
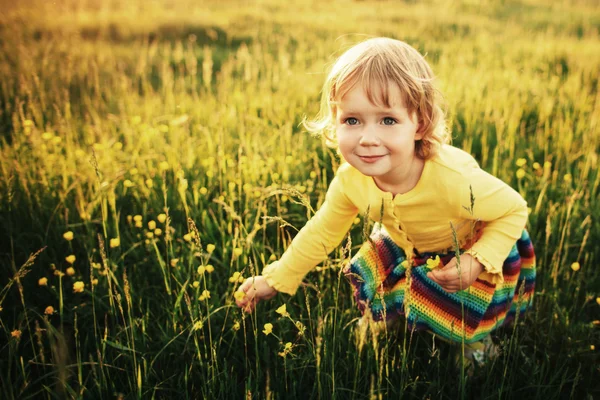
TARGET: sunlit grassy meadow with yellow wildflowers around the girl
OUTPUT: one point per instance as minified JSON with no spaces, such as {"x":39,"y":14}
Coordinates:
{"x":152,"y":157}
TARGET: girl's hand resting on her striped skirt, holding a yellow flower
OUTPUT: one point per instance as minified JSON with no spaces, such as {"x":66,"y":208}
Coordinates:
{"x":449,"y":278}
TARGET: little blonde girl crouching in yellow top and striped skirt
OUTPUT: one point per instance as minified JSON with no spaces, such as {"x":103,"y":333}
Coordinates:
{"x":381,"y":110}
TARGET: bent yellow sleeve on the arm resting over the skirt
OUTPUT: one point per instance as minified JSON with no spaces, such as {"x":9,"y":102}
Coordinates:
{"x":504,"y":212}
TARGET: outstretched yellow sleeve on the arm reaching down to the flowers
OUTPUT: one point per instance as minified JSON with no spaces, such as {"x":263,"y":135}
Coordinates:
{"x":321,"y":234}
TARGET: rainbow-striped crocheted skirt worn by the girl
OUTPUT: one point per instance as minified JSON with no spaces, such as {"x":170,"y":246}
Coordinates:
{"x":378,"y":274}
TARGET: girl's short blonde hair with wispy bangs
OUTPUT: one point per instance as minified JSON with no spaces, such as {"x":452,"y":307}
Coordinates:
{"x":375,"y":63}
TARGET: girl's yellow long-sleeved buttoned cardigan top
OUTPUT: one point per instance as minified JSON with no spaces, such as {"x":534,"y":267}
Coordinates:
{"x":419,"y":219}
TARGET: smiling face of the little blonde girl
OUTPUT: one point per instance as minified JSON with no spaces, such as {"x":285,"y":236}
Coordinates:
{"x":376,"y":140}
